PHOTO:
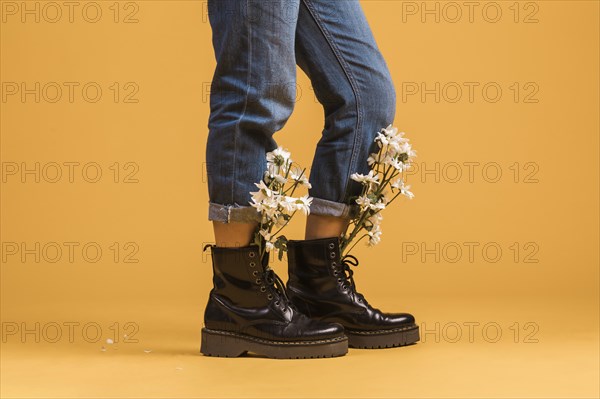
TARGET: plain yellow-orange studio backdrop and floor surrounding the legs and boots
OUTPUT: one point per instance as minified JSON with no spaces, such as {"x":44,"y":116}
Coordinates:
{"x":155,"y":207}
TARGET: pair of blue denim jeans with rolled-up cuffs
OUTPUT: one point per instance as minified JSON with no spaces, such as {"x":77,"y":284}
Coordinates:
{"x":257,"y":47}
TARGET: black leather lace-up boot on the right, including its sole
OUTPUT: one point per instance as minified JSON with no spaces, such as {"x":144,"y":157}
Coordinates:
{"x":321,"y":286}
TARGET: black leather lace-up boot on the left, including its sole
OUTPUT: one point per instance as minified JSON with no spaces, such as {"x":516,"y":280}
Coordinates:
{"x":248,"y":311}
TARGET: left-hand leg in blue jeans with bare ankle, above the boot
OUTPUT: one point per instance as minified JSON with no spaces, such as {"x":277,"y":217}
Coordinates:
{"x":252,"y":96}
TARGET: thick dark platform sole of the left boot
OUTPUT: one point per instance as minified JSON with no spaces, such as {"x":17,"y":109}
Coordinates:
{"x":228,"y":344}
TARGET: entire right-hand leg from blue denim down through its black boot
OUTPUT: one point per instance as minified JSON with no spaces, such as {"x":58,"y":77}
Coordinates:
{"x":335,"y":47}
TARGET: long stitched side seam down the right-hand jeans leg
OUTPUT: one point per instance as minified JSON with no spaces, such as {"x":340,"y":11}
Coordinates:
{"x":351,"y":80}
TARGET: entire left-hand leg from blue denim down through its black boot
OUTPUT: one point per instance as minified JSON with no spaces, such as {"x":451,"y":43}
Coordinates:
{"x":251,"y":98}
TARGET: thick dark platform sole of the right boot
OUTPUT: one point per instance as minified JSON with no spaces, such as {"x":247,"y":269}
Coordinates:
{"x":383,"y":338}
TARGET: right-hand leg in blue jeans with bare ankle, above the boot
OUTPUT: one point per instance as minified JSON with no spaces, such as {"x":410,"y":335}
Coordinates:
{"x":336,"y":49}
